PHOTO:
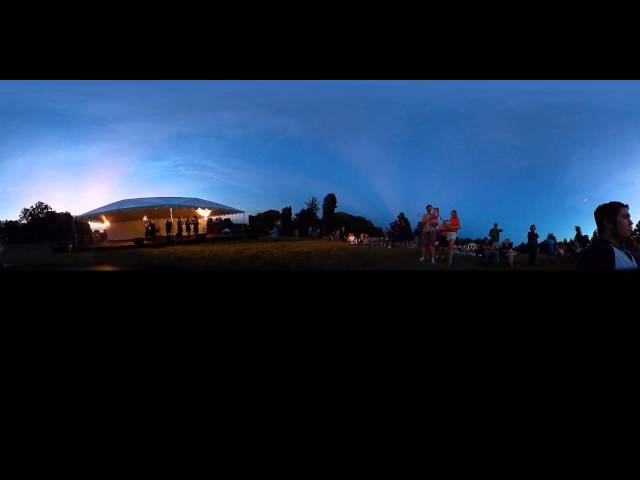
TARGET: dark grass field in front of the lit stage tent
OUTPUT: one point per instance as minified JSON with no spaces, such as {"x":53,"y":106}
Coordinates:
{"x":285,"y":254}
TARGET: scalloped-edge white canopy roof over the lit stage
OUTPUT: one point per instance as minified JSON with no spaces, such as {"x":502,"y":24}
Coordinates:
{"x":156,"y":207}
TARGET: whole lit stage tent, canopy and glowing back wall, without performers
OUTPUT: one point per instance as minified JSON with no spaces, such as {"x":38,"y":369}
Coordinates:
{"x":125,"y":218}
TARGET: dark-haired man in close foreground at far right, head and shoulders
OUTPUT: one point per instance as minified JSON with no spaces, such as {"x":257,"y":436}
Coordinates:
{"x":609,"y":250}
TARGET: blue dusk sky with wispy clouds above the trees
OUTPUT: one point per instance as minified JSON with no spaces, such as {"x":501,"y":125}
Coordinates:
{"x":512,"y":152}
